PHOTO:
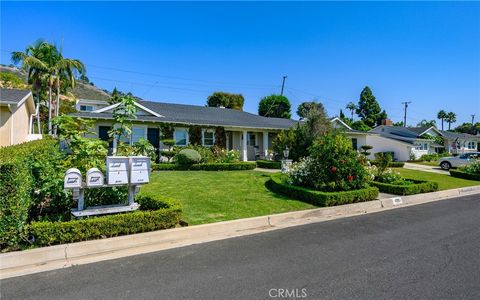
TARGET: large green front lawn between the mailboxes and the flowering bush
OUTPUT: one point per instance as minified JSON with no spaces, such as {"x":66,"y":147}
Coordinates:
{"x":209,"y":196}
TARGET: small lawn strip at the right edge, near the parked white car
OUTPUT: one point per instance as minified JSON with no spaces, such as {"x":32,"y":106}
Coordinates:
{"x":445,"y":182}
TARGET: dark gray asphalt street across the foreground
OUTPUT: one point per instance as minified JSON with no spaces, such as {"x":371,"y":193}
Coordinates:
{"x":429,"y":251}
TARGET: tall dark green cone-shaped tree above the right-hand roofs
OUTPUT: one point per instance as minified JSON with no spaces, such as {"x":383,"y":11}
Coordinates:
{"x":368,"y":108}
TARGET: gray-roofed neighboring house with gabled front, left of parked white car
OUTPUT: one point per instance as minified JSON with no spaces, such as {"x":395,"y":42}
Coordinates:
{"x":416,"y":137}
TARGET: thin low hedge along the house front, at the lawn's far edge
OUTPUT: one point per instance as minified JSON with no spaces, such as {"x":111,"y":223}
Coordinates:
{"x":206,"y":167}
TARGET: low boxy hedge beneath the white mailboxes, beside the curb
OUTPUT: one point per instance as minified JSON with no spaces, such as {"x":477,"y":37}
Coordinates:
{"x":155,"y":213}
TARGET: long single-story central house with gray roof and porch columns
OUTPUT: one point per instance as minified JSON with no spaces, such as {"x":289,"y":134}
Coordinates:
{"x":251,"y":134}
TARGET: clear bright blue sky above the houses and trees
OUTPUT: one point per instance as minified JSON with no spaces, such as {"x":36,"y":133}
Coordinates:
{"x":427,"y":53}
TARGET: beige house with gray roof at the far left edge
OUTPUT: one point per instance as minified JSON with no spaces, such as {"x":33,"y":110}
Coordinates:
{"x":17,"y":111}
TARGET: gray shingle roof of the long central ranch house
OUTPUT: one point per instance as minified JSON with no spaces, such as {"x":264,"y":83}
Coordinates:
{"x":201,"y":115}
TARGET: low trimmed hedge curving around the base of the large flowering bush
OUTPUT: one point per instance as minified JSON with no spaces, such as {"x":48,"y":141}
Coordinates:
{"x":319,"y":198}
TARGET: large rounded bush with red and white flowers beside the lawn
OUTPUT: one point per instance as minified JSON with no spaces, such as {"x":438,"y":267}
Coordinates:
{"x":332,"y":165}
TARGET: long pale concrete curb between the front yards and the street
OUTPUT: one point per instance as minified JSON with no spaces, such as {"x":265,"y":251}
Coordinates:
{"x":20,"y":263}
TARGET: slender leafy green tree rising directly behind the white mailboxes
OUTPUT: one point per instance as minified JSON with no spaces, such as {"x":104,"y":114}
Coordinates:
{"x":123,"y":115}
